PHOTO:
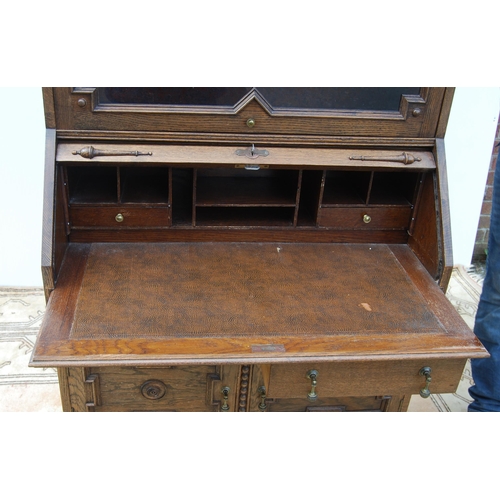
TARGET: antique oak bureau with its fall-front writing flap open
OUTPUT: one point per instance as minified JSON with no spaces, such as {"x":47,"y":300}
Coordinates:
{"x":248,"y":249}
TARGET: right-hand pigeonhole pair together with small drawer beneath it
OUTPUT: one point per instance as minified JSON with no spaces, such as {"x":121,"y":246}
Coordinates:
{"x":368,"y":200}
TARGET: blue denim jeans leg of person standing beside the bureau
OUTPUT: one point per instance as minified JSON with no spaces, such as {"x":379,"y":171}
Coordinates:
{"x":486,"y":371}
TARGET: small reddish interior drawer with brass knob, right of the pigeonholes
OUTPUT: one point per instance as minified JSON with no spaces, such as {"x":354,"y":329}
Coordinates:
{"x":355,"y":217}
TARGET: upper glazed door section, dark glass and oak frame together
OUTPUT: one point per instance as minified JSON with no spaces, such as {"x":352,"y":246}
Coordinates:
{"x":406,"y":112}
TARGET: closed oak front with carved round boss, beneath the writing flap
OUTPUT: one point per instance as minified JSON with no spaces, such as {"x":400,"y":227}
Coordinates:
{"x":182,"y":388}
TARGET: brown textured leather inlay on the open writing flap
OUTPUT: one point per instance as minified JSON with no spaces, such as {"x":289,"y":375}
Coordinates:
{"x":179,"y":290}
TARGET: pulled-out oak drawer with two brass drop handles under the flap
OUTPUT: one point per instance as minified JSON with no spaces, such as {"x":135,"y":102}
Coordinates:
{"x":357,"y":379}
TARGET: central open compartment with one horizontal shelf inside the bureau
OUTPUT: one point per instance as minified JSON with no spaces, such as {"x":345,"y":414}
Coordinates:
{"x":240,"y":197}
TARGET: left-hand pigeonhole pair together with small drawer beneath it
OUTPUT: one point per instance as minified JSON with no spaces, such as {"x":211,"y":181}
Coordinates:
{"x":118,"y":196}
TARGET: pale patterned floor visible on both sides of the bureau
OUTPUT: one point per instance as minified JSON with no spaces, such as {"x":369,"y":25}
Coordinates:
{"x":24,"y":389}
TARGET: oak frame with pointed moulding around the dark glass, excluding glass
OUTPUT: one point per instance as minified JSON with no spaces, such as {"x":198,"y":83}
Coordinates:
{"x":414,"y":119}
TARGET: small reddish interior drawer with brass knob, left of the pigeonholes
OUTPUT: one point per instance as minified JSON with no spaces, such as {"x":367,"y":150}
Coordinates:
{"x":132,"y":217}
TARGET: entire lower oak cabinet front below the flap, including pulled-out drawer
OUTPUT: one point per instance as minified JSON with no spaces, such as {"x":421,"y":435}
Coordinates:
{"x":295,"y":387}
